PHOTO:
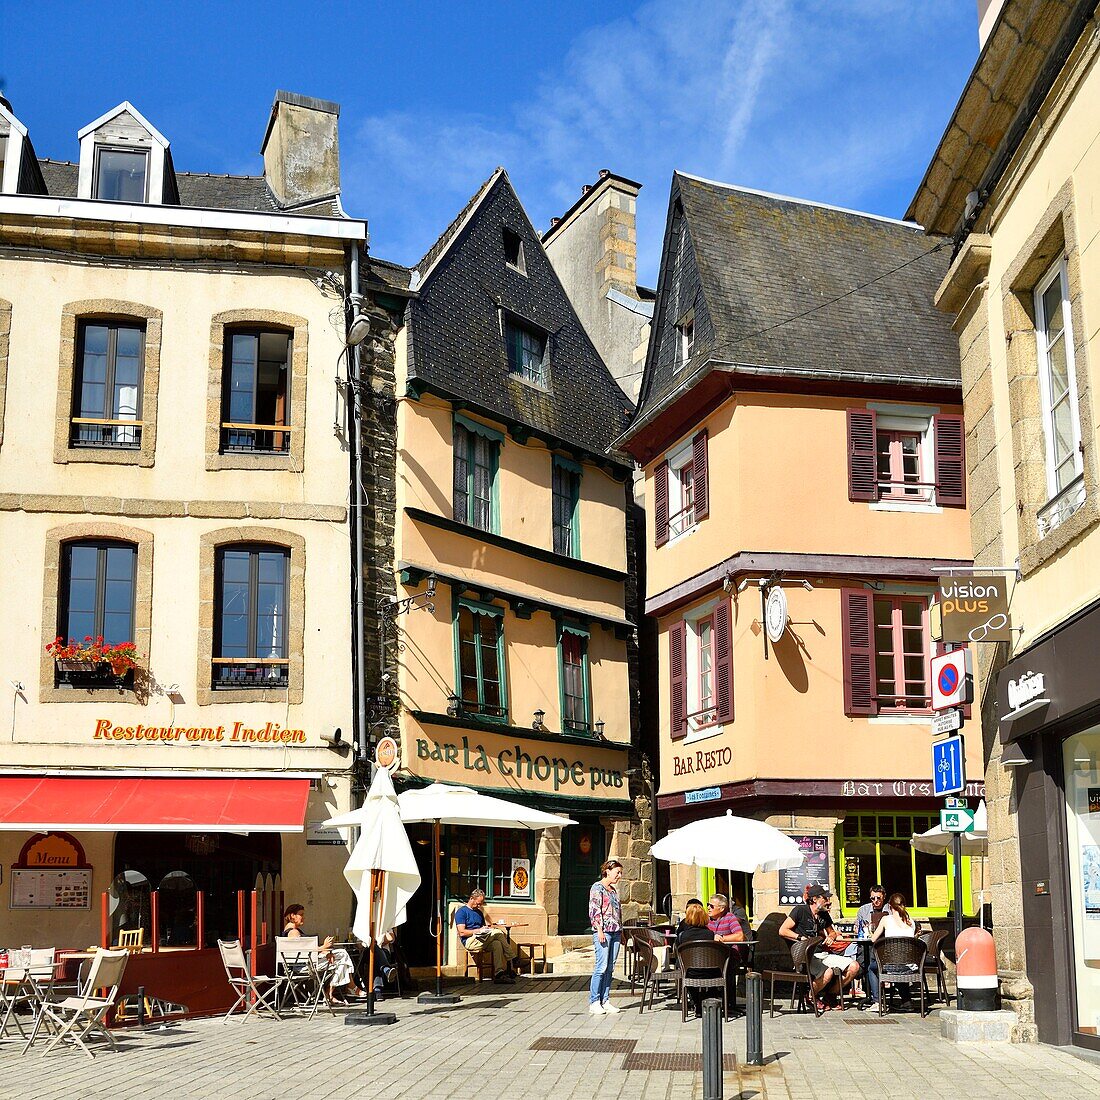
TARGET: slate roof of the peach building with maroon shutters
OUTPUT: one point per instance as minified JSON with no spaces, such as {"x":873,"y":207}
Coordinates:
{"x":761,"y":273}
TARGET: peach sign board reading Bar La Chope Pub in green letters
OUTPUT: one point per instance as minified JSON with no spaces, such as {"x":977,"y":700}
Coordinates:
{"x":496,"y":761}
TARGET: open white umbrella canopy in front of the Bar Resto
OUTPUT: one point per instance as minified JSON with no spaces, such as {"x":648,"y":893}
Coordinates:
{"x":738,"y":844}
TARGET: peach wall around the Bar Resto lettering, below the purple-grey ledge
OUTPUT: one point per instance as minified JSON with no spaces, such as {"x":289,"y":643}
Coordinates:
{"x":789,"y":721}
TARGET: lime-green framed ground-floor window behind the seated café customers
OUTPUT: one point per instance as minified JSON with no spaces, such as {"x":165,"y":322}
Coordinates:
{"x":874,"y":849}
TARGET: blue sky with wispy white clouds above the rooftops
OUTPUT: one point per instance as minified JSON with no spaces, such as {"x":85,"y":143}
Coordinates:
{"x":838,"y":101}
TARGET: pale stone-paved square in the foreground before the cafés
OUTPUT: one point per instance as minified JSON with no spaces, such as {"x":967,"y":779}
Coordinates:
{"x":493,"y":1044}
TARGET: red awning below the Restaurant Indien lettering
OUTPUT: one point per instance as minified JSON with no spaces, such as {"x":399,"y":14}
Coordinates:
{"x":116,"y":804}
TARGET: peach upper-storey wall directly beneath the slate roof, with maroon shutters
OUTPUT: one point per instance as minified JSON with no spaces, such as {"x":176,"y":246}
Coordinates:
{"x":776,"y":461}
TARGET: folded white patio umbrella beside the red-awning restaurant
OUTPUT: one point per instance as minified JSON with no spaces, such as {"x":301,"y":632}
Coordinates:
{"x":382,"y":870}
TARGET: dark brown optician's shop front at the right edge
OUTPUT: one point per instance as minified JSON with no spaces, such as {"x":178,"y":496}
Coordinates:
{"x":1049,"y":719}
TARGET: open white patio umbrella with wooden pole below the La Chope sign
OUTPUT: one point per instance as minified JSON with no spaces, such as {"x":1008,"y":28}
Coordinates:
{"x":444,"y":805}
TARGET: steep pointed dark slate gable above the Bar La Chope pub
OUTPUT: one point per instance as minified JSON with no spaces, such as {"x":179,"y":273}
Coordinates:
{"x":456,"y":343}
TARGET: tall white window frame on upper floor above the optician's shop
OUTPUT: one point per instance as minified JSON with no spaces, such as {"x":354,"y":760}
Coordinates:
{"x":1061,"y":504}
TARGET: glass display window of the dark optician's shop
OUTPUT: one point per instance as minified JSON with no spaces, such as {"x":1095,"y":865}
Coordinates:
{"x":1082,"y":762}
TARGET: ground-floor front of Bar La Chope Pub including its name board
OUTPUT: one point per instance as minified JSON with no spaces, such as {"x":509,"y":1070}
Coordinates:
{"x":538,"y":881}
